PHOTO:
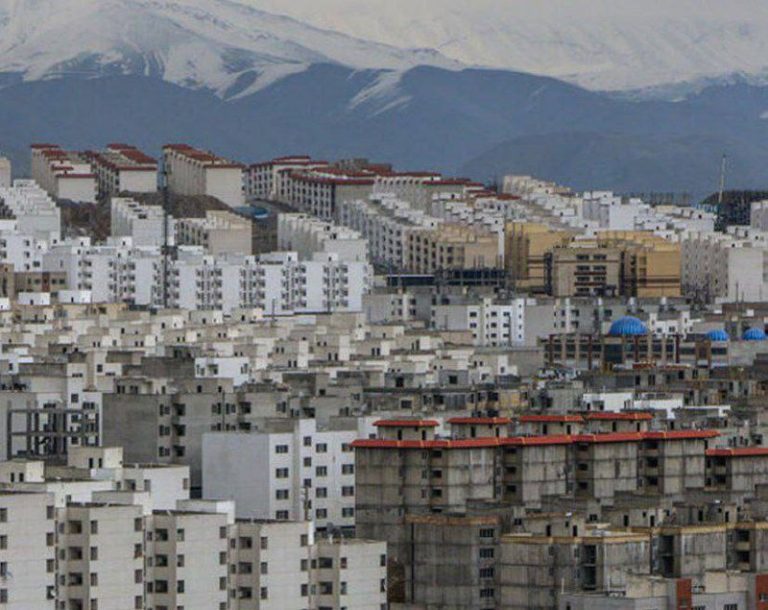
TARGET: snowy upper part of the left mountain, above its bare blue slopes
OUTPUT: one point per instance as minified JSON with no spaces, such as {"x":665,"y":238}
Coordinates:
{"x":226,"y":46}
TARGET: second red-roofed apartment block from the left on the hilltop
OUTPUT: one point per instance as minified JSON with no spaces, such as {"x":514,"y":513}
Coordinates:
{"x":121,"y":168}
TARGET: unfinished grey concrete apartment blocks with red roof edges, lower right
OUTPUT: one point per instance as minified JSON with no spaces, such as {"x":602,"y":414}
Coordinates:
{"x":482,"y":519}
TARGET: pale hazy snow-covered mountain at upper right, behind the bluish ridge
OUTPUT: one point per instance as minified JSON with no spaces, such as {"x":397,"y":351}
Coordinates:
{"x":599,"y":44}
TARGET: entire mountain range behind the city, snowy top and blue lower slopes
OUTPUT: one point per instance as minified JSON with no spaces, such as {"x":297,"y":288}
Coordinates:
{"x":640,"y":102}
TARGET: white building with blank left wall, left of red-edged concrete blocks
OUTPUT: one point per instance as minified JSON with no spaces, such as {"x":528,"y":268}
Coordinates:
{"x":305,"y":473}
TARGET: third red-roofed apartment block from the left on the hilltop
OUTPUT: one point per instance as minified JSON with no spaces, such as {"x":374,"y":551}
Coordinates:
{"x":196,"y":172}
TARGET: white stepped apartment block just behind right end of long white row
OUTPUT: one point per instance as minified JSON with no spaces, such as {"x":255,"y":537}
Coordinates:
{"x":306,"y":235}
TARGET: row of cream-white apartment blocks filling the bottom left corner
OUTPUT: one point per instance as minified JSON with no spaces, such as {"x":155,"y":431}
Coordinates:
{"x":97,"y":534}
